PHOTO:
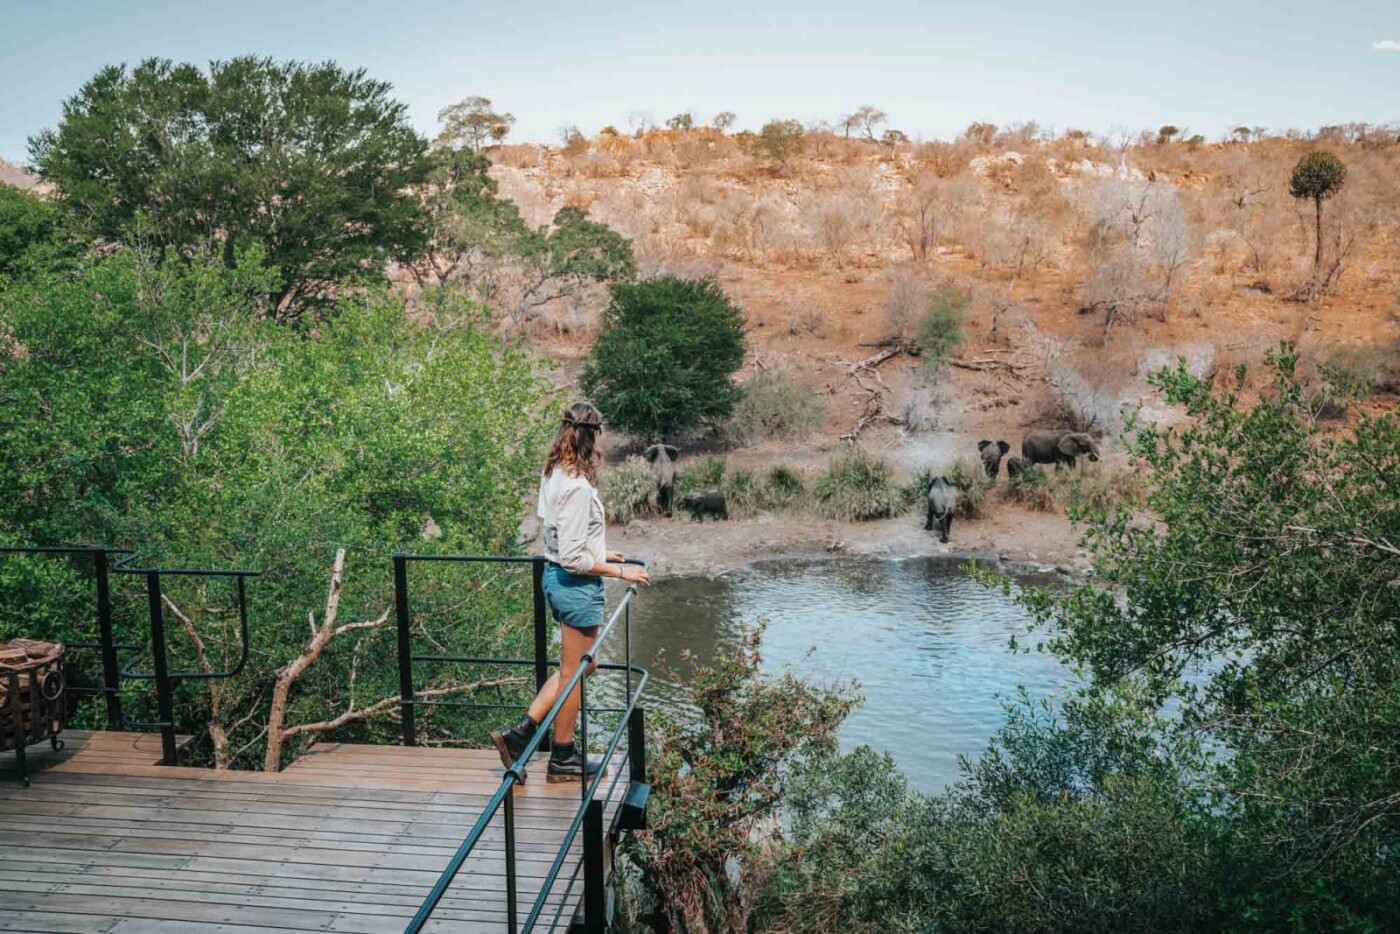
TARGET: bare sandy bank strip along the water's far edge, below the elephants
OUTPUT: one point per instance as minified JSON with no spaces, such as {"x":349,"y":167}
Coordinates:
{"x":1013,"y":537}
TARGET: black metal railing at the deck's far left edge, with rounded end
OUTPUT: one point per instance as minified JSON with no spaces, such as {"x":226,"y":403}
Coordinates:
{"x":114,"y":674}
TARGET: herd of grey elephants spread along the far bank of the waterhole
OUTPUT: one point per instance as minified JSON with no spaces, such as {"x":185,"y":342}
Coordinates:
{"x":1039,"y":446}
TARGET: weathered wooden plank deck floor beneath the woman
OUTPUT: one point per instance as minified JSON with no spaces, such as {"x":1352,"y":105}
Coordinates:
{"x":349,"y":838}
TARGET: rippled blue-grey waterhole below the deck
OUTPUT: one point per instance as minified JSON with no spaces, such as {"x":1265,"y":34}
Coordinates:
{"x":929,"y":646}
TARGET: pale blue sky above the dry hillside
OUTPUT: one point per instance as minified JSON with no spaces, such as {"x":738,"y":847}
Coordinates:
{"x":933,"y":67}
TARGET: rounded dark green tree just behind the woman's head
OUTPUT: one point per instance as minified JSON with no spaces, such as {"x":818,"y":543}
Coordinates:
{"x":666,"y":358}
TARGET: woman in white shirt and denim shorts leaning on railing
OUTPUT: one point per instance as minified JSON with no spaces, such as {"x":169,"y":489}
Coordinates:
{"x":573,"y":524}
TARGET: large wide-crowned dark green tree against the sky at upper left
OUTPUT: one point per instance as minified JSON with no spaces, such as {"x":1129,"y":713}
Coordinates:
{"x":310,"y":162}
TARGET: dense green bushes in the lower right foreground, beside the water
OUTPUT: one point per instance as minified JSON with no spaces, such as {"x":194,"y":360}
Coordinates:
{"x":1231,"y":767}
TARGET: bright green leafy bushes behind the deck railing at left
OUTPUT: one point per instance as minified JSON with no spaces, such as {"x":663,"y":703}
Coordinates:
{"x":146,"y":405}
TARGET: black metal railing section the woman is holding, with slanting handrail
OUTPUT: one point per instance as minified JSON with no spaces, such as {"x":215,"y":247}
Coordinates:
{"x":589,"y":817}
